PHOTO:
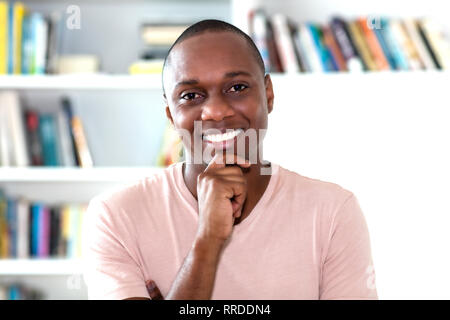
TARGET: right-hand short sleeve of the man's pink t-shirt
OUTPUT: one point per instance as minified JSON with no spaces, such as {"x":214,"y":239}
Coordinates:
{"x":348,"y":271}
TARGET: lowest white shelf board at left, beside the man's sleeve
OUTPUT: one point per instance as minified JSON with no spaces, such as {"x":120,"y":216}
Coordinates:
{"x":56,"y":266}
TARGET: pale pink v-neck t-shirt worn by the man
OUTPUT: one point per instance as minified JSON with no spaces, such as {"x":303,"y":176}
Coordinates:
{"x":305,"y":239}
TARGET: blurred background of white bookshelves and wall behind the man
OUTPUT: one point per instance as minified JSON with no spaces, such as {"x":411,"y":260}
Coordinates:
{"x":361,"y":100}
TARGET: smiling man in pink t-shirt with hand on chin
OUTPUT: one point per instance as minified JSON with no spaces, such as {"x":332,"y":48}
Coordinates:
{"x":230,"y":226}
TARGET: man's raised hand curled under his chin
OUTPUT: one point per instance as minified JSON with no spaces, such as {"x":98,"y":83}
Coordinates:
{"x":221,"y":194}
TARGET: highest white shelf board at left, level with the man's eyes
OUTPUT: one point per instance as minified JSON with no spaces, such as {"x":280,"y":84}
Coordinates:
{"x":81,"y":82}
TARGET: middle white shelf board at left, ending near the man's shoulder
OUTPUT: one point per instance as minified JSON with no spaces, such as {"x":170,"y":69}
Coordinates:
{"x":105,"y":174}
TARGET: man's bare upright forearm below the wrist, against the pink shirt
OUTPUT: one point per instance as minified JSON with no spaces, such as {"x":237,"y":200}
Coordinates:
{"x":195,"y":279}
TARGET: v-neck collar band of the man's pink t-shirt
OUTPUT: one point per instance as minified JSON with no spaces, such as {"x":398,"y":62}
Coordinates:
{"x":187,"y":195}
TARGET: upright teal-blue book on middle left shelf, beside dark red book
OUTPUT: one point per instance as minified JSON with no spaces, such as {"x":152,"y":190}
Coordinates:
{"x":48,"y":134}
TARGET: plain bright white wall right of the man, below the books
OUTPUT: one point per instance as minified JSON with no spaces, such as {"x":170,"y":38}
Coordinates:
{"x":385,"y":137}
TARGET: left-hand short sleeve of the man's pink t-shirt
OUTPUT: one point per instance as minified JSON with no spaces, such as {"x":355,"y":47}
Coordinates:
{"x":109,"y":270}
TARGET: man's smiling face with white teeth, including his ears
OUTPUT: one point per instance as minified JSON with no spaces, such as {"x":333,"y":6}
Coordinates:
{"x":213,"y":79}
